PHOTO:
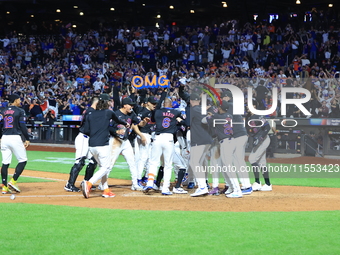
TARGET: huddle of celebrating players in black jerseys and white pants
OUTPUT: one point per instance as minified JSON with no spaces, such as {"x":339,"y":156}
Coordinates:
{"x":155,"y":138}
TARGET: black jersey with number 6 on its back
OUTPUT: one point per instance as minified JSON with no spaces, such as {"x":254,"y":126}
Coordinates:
{"x":166,"y":120}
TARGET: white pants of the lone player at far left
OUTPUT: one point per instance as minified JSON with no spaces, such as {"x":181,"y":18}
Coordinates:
{"x":12,"y":144}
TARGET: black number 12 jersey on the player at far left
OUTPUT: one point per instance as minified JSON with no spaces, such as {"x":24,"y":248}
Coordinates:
{"x":13,"y":121}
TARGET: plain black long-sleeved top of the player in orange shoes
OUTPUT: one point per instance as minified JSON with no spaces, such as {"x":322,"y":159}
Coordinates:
{"x":97,"y":126}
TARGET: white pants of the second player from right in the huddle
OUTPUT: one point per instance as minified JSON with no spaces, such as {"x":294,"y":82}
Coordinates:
{"x":239,"y":162}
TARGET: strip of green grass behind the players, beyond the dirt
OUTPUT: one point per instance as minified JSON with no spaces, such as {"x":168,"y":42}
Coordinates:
{"x":61,"y":162}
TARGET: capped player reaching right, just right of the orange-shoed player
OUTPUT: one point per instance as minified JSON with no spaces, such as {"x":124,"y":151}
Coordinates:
{"x":123,"y":145}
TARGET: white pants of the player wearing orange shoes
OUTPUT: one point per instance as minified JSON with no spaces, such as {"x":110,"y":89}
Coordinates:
{"x":102,"y":156}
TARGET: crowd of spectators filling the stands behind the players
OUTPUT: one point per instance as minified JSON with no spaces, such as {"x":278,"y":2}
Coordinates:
{"x":58,"y":73}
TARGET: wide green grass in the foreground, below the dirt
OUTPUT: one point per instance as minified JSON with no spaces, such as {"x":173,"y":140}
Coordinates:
{"x":71,"y":230}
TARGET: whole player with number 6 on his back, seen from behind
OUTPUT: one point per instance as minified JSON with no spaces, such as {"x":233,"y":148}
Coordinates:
{"x":166,"y":125}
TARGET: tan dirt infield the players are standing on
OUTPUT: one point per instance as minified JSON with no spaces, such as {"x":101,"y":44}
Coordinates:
{"x":282,"y":198}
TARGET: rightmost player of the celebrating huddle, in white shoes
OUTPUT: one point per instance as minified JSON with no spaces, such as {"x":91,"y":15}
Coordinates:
{"x":257,"y":157}
